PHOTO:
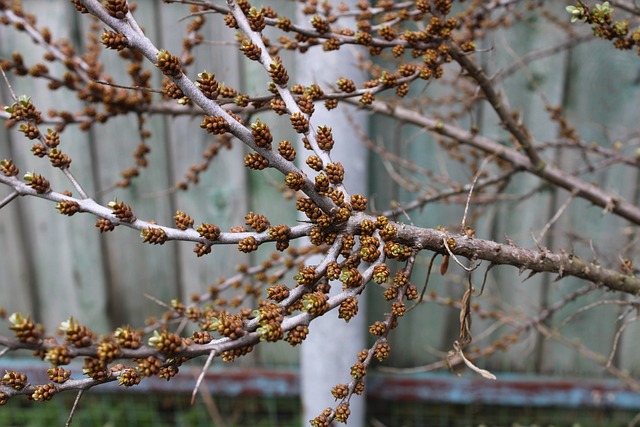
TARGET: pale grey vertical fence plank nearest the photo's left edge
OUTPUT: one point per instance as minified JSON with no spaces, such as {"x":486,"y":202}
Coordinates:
{"x":64,"y":252}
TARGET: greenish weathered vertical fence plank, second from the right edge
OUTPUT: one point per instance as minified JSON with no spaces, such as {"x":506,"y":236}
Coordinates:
{"x":528,"y":92}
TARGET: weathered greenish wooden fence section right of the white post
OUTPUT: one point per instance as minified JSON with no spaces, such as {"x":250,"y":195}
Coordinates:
{"x":561,"y":79}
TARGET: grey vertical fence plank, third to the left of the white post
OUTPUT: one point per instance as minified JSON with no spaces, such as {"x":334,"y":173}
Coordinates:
{"x":151,"y":271}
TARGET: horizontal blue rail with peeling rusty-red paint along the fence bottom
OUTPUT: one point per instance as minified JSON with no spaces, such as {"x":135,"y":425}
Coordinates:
{"x":508,"y":390}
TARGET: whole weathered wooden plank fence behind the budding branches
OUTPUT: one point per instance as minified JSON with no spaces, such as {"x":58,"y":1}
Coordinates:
{"x":53,"y":266}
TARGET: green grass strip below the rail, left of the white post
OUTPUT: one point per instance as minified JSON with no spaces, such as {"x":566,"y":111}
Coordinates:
{"x":158,"y":410}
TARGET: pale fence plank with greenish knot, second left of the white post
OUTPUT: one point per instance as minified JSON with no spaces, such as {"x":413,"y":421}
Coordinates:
{"x":222,"y":195}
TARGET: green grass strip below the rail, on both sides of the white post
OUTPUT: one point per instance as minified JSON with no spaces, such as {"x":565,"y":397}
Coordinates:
{"x":165,"y":410}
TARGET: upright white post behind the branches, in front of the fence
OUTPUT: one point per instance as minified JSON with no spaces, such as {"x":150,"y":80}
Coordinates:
{"x":332,"y":345}
